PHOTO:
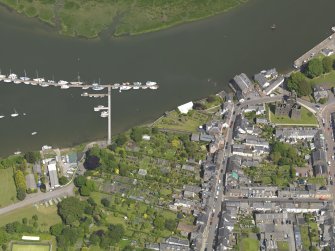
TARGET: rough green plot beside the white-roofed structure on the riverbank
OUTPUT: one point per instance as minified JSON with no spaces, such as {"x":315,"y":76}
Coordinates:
{"x":179,"y":122}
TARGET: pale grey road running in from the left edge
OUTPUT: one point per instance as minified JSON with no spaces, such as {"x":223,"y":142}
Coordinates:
{"x":41,"y":197}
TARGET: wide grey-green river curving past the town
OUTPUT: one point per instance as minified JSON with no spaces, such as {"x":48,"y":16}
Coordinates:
{"x":189,"y":62}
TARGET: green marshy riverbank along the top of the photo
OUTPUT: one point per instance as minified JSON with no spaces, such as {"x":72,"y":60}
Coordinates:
{"x":88,"y":18}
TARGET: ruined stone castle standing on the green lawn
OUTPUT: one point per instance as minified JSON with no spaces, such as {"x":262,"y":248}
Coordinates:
{"x":289,"y":107}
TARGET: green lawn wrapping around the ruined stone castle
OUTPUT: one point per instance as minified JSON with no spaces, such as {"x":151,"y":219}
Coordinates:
{"x":307,"y":118}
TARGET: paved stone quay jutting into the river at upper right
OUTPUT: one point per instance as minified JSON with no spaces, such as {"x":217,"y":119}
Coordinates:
{"x":327,"y":45}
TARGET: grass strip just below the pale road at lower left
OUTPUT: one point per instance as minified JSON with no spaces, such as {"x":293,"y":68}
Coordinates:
{"x":47,"y":216}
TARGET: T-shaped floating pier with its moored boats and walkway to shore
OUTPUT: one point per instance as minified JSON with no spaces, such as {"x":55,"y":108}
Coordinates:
{"x":12,"y":78}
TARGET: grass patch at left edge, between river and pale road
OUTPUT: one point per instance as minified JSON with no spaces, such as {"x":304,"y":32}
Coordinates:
{"x":7,"y":187}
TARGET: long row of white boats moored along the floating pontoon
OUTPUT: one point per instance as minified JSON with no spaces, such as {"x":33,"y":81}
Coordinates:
{"x":13,"y":78}
